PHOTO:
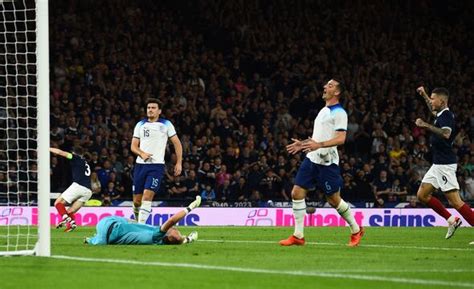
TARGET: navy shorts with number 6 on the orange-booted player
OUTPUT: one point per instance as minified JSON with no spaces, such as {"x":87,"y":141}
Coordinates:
{"x":311,"y":175}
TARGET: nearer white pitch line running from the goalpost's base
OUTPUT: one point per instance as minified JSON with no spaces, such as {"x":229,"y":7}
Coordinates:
{"x":276,"y":272}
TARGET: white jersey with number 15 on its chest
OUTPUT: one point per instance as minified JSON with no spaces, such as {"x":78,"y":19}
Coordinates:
{"x":153,"y":138}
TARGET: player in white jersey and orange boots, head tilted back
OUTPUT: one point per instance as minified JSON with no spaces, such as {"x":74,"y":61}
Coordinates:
{"x":321,"y":166}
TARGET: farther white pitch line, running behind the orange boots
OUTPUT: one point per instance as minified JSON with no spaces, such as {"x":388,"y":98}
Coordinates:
{"x":338,"y":244}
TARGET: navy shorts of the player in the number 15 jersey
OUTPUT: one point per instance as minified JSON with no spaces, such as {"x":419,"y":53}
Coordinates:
{"x":147,"y":176}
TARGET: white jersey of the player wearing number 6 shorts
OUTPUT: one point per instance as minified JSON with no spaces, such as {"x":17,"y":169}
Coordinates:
{"x":329,"y":120}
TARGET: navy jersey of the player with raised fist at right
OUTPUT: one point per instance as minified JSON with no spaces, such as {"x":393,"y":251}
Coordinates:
{"x":442,"y":148}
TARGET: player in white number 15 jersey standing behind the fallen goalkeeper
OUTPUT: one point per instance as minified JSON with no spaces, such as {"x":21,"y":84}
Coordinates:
{"x":150,"y":138}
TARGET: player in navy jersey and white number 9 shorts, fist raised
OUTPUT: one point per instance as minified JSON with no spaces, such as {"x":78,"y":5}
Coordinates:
{"x":442,"y":174}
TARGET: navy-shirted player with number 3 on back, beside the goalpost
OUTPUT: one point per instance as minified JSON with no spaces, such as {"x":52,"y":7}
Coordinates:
{"x":78,"y":192}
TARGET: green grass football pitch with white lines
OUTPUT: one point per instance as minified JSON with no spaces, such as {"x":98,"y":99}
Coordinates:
{"x":250,"y":257}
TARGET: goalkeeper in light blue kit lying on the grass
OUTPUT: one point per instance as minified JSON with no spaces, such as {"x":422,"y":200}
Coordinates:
{"x":118,"y":231}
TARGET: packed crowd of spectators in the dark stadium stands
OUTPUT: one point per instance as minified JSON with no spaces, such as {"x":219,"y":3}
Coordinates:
{"x":239,"y":79}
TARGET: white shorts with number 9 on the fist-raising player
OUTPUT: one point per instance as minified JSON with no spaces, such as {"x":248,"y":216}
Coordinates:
{"x":442,"y":177}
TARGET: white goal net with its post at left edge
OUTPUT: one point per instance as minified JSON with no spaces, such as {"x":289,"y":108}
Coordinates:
{"x":24,"y":128}
